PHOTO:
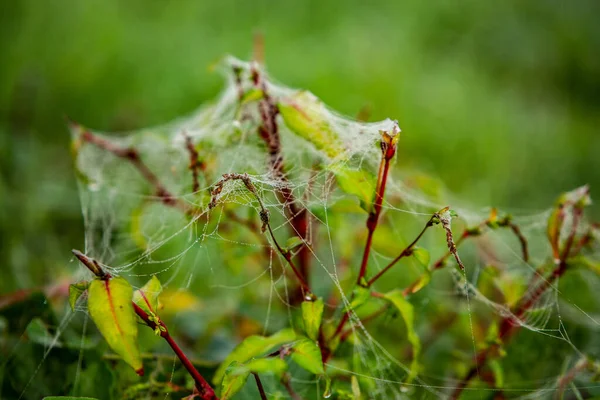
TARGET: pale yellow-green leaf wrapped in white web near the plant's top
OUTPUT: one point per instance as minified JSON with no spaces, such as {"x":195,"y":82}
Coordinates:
{"x":306,"y":116}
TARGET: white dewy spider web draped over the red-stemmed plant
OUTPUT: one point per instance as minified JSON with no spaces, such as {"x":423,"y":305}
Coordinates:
{"x":164,"y":221}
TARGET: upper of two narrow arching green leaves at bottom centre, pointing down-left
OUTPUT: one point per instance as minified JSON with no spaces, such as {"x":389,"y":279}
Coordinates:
{"x":253,"y":346}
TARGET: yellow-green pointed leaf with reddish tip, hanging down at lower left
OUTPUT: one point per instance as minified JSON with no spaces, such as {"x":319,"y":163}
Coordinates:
{"x":109,"y":304}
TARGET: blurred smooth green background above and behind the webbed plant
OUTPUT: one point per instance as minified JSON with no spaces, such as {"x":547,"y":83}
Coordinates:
{"x":500,"y":100}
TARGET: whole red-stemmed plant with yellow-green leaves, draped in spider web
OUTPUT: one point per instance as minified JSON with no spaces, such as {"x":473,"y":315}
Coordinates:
{"x":267,"y":235}
